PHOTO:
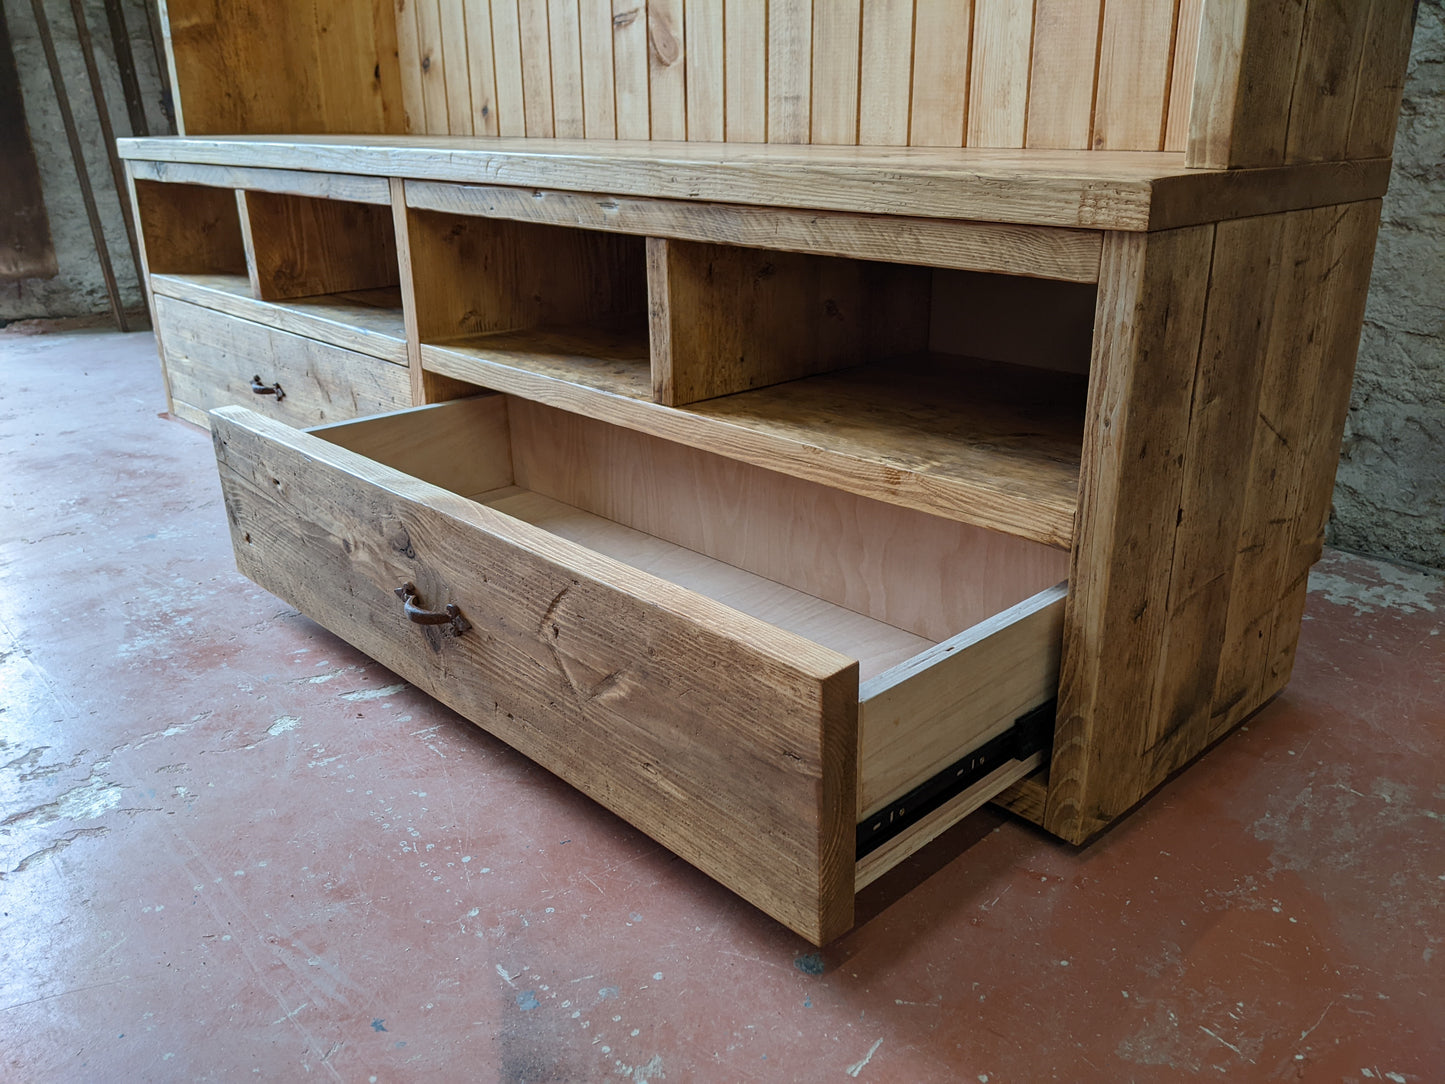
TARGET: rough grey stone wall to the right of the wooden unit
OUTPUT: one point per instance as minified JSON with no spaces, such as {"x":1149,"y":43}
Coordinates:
{"x":1391,"y":489}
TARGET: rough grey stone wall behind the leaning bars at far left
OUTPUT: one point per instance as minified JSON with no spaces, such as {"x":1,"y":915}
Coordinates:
{"x":79,"y":290}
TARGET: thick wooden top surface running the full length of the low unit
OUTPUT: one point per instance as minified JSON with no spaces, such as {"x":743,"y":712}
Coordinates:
{"x":1097,"y":190}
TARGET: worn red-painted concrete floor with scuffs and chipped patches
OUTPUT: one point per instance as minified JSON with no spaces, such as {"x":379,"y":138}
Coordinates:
{"x":232,"y":848}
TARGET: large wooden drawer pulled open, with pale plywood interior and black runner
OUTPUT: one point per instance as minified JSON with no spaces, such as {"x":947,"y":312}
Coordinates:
{"x":788,"y":686}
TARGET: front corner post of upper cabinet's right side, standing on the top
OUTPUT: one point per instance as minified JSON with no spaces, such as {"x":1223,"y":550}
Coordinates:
{"x":1243,"y":79}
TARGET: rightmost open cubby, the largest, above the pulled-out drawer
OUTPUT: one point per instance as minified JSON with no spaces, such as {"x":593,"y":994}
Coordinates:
{"x":946,"y":388}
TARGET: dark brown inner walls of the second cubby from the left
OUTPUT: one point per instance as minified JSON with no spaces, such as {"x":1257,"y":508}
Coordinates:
{"x":301,"y":246}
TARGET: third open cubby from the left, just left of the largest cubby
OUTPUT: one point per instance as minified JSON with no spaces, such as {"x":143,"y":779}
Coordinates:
{"x":524,"y":307}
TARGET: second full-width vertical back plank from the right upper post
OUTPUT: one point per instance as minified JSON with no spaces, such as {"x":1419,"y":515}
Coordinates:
{"x":1064,"y":72}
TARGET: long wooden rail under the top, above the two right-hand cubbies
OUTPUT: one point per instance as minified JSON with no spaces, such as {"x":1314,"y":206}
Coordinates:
{"x":1038,"y":252}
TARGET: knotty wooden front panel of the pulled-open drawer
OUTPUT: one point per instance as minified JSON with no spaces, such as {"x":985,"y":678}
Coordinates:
{"x":728,"y":741}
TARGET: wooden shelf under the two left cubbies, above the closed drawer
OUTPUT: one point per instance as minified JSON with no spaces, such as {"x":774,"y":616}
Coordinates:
{"x":366,"y":322}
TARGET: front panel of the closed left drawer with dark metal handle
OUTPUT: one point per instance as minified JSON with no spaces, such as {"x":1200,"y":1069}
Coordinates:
{"x":212,"y":359}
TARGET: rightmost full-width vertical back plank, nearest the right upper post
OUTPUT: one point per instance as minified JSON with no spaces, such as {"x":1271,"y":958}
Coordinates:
{"x":1134,"y":74}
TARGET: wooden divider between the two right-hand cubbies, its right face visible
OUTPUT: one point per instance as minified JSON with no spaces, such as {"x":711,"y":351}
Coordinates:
{"x":807,"y":314}
